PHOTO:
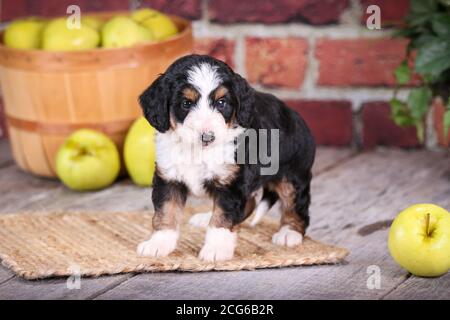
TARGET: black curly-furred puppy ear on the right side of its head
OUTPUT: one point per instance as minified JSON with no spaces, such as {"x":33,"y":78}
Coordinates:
{"x":246,"y":97}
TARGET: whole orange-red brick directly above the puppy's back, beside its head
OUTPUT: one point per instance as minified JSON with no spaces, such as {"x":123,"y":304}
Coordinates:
{"x":276,"y":62}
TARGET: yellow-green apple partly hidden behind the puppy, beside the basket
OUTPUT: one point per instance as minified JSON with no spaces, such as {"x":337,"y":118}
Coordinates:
{"x":139,"y":152}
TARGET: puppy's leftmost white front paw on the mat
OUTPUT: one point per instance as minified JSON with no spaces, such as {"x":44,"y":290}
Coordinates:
{"x":160,"y":244}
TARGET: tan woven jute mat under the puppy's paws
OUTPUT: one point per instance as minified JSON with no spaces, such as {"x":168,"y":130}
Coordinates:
{"x":41,"y":245}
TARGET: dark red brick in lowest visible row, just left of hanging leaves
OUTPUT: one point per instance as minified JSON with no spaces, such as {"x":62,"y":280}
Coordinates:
{"x":379,"y":129}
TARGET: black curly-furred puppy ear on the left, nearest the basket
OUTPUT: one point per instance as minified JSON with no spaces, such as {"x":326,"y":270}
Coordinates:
{"x":155,"y":104}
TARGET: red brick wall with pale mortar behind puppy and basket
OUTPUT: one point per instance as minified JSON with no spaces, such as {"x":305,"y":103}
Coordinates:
{"x":316,"y":55}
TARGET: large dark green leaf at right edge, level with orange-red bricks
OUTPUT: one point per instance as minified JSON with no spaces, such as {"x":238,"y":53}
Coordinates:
{"x":433,"y":57}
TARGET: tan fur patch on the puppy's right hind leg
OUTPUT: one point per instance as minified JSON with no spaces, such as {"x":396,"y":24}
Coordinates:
{"x":286,"y":192}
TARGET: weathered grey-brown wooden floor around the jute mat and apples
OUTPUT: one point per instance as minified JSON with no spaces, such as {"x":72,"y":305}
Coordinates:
{"x":355,"y":197}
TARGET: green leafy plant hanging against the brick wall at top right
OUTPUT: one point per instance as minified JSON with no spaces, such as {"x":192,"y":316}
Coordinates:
{"x":427,"y":26}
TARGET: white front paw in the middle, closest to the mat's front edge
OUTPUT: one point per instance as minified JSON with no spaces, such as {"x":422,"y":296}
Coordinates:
{"x":219,"y":245}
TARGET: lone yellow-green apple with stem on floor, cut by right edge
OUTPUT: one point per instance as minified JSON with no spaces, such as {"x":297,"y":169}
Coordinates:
{"x":419,"y":240}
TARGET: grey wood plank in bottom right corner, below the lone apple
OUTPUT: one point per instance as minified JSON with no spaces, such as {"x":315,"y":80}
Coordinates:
{"x":415,"y":288}
